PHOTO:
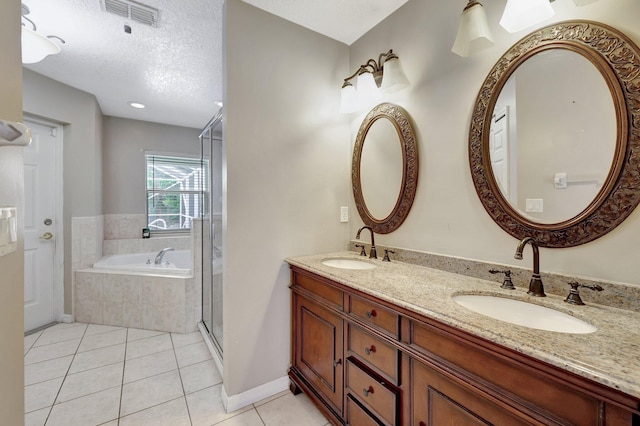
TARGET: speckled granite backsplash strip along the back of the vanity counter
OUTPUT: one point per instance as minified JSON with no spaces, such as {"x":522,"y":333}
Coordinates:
{"x":616,"y":295}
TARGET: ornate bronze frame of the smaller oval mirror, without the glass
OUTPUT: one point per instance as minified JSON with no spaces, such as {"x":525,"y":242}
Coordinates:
{"x":407,"y":139}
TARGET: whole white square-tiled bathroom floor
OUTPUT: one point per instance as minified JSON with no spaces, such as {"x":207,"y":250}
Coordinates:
{"x":84,"y":375}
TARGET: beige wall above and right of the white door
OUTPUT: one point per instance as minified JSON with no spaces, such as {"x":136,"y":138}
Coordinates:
{"x":81,"y":117}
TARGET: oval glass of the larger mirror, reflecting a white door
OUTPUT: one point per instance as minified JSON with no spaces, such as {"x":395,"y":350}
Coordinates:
{"x":553,"y":136}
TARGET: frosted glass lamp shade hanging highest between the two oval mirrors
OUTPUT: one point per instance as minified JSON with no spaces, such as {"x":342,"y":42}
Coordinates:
{"x":473,"y":32}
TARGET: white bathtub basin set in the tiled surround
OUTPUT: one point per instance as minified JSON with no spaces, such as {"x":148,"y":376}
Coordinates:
{"x":177,"y":262}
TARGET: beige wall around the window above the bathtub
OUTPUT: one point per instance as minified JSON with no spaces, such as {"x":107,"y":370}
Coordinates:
{"x":123,"y":163}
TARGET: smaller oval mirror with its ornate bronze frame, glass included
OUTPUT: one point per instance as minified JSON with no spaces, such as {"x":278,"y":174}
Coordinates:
{"x":384,"y":168}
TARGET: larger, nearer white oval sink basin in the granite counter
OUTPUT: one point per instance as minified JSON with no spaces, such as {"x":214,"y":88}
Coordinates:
{"x":525,"y":314}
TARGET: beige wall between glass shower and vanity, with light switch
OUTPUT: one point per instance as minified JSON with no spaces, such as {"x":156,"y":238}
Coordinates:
{"x":287,"y":164}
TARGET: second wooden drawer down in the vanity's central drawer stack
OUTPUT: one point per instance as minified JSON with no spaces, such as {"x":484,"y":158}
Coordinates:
{"x":373,"y":351}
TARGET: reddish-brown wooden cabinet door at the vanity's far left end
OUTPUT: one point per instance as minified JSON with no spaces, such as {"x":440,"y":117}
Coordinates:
{"x":319,"y":350}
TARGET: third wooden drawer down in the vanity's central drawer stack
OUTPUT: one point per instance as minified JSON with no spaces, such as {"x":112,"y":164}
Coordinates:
{"x":377,"y":396}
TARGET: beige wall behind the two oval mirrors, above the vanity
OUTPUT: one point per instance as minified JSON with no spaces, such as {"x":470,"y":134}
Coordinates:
{"x":447,"y":217}
